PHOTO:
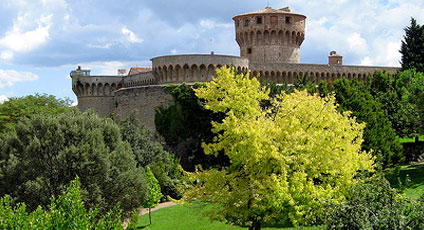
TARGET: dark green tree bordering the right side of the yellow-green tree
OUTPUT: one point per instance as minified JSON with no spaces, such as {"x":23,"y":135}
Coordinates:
{"x":379,"y":136}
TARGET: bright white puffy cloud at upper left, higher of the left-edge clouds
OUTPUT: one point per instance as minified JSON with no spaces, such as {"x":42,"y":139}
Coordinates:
{"x":23,"y":41}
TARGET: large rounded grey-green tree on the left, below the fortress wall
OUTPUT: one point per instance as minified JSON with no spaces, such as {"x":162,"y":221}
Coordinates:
{"x":45,"y":153}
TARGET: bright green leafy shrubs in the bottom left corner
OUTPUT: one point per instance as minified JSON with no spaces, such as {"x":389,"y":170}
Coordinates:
{"x":64,"y":212}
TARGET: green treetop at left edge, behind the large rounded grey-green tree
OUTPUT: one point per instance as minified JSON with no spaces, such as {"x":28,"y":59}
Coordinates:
{"x":17,"y":108}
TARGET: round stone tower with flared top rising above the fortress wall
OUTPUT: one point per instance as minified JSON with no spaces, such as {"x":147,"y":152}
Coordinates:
{"x":270,"y":35}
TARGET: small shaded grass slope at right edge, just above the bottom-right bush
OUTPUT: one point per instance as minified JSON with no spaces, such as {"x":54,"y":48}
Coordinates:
{"x":415,"y":187}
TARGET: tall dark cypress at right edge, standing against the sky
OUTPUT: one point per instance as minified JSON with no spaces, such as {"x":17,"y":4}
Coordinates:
{"x":412,"y":48}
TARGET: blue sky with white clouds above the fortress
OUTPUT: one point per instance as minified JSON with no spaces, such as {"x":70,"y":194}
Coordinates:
{"x":41,"y":41}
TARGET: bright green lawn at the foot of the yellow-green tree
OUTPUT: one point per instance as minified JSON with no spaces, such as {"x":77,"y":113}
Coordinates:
{"x":187,"y":217}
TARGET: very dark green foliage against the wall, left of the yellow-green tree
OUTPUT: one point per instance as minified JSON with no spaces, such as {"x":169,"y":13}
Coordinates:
{"x":185,"y":125}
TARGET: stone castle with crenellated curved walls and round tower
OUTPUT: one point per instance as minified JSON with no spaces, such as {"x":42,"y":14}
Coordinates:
{"x":269,"y":41}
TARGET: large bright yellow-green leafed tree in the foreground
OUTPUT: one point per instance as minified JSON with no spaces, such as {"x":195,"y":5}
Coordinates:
{"x":283,"y":160}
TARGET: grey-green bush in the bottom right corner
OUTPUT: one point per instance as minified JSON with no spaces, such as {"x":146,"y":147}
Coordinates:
{"x":373,"y":204}
